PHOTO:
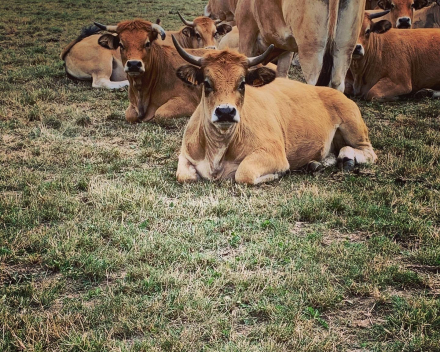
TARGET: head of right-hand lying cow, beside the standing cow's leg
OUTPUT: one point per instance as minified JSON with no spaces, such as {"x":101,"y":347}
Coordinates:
{"x":369,"y":27}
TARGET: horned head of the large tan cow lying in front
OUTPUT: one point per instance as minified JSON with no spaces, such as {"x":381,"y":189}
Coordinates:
{"x":224,"y":76}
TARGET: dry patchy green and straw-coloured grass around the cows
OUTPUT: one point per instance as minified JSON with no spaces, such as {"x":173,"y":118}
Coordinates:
{"x":102,"y":250}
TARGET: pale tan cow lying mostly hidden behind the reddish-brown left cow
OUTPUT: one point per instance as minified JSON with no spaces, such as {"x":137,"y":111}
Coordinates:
{"x":85,"y":59}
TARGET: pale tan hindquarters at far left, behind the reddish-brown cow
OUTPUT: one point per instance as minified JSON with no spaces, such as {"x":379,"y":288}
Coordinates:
{"x":84,"y":59}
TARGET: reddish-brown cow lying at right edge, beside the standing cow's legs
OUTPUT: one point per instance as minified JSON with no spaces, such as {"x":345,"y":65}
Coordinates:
{"x":388,"y":63}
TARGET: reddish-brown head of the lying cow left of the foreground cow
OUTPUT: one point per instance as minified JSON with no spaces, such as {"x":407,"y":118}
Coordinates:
{"x":135,"y":40}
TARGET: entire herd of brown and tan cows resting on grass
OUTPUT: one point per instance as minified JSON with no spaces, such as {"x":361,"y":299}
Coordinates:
{"x":248,"y":121}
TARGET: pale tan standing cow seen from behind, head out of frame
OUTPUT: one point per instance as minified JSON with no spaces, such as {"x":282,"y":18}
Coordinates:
{"x":324,"y":33}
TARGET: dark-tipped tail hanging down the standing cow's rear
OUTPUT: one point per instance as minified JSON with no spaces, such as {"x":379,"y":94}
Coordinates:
{"x":327,"y":65}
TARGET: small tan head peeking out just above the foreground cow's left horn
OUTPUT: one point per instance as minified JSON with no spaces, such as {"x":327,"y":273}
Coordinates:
{"x":204,"y":32}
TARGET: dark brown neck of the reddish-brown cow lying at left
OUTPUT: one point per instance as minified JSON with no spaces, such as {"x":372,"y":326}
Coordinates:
{"x":156,"y":67}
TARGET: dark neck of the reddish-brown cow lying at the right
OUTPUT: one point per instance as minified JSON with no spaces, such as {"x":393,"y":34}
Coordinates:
{"x":369,"y":66}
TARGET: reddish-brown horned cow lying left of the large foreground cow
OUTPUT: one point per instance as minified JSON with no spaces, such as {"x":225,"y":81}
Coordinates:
{"x":154,"y":90}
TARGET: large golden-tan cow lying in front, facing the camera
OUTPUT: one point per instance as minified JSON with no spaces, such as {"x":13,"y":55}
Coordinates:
{"x":253,"y":132}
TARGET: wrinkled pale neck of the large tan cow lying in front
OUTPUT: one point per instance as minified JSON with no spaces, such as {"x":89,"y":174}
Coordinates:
{"x":217,"y":142}
